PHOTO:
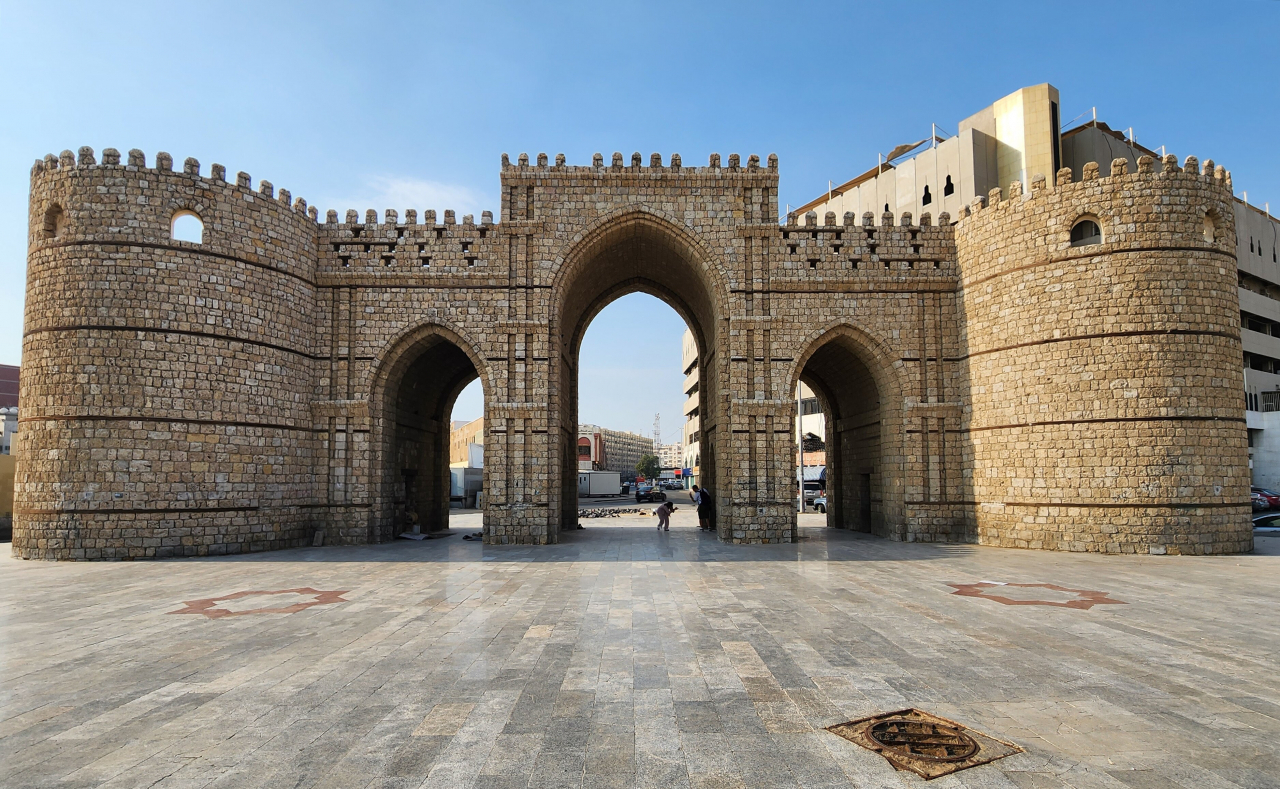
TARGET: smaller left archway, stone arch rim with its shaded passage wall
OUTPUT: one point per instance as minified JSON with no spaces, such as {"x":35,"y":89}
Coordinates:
{"x":412,"y":399}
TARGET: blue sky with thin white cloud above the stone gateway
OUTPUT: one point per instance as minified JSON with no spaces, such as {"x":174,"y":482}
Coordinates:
{"x":412,"y":106}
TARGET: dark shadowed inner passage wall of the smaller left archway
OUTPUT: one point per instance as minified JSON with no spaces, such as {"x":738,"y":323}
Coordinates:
{"x":418,"y":468}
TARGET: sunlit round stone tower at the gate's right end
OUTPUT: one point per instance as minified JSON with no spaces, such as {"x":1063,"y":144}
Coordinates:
{"x":1100,"y":332}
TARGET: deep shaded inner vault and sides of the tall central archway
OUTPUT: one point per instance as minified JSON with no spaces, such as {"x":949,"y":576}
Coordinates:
{"x":636,"y":252}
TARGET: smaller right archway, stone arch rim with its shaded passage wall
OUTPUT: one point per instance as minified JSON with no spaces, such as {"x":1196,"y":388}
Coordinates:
{"x":858,"y":382}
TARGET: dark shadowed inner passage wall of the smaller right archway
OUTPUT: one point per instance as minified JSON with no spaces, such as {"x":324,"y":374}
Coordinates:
{"x":856,"y":469}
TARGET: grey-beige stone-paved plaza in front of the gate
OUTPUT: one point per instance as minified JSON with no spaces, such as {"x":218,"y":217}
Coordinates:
{"x":628,"y":658}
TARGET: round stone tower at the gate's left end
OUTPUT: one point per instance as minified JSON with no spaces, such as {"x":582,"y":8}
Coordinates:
{"x":166,"y":385}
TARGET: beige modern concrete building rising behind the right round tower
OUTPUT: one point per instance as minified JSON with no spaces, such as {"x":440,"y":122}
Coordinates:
{"x":1022,"y":136}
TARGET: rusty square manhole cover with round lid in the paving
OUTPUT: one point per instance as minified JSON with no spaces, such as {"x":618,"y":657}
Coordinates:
{"x":924,"y":744}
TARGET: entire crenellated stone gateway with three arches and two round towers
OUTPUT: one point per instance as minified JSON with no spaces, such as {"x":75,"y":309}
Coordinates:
{"x":985,"y":378}
